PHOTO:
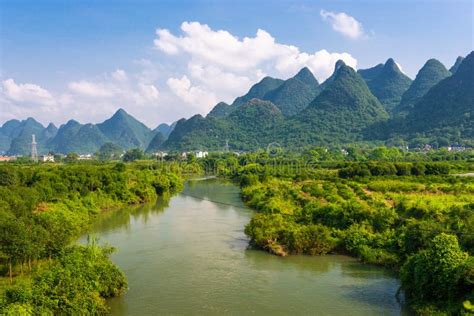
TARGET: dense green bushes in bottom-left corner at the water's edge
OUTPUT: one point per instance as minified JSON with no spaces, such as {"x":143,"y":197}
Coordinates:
{"x":75,"y":283}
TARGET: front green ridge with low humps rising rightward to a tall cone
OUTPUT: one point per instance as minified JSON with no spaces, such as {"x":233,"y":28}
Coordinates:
{"x":338,"y":114}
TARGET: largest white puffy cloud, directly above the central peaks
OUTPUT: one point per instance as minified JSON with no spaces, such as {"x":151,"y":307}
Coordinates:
{"x":225,"y":66}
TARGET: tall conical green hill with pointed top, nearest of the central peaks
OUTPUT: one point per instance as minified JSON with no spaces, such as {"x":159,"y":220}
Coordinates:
{"x":338,"y":115}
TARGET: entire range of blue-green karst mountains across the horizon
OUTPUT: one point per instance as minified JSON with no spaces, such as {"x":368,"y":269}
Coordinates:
{"x":378,"y":105}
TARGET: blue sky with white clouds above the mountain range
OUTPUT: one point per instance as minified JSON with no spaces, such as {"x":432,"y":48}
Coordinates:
{"x":165,"y":60}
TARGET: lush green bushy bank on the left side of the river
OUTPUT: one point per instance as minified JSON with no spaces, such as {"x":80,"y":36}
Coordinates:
{"x":44,"y":208}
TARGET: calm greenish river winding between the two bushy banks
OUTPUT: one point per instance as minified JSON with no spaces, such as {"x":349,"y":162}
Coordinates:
{"x":189,"y":255}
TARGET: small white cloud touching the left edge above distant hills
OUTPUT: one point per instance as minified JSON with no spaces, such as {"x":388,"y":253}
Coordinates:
{"x":26,"y":93}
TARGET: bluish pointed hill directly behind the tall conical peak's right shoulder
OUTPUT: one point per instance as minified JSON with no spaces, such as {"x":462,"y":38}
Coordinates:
{"x":388,"y":84}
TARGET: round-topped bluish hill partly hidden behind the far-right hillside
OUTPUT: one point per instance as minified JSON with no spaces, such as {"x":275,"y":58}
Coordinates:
{"x":432,"y":72}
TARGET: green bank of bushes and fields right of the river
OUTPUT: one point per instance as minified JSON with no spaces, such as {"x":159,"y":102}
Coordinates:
{"x":411,"y":217}
